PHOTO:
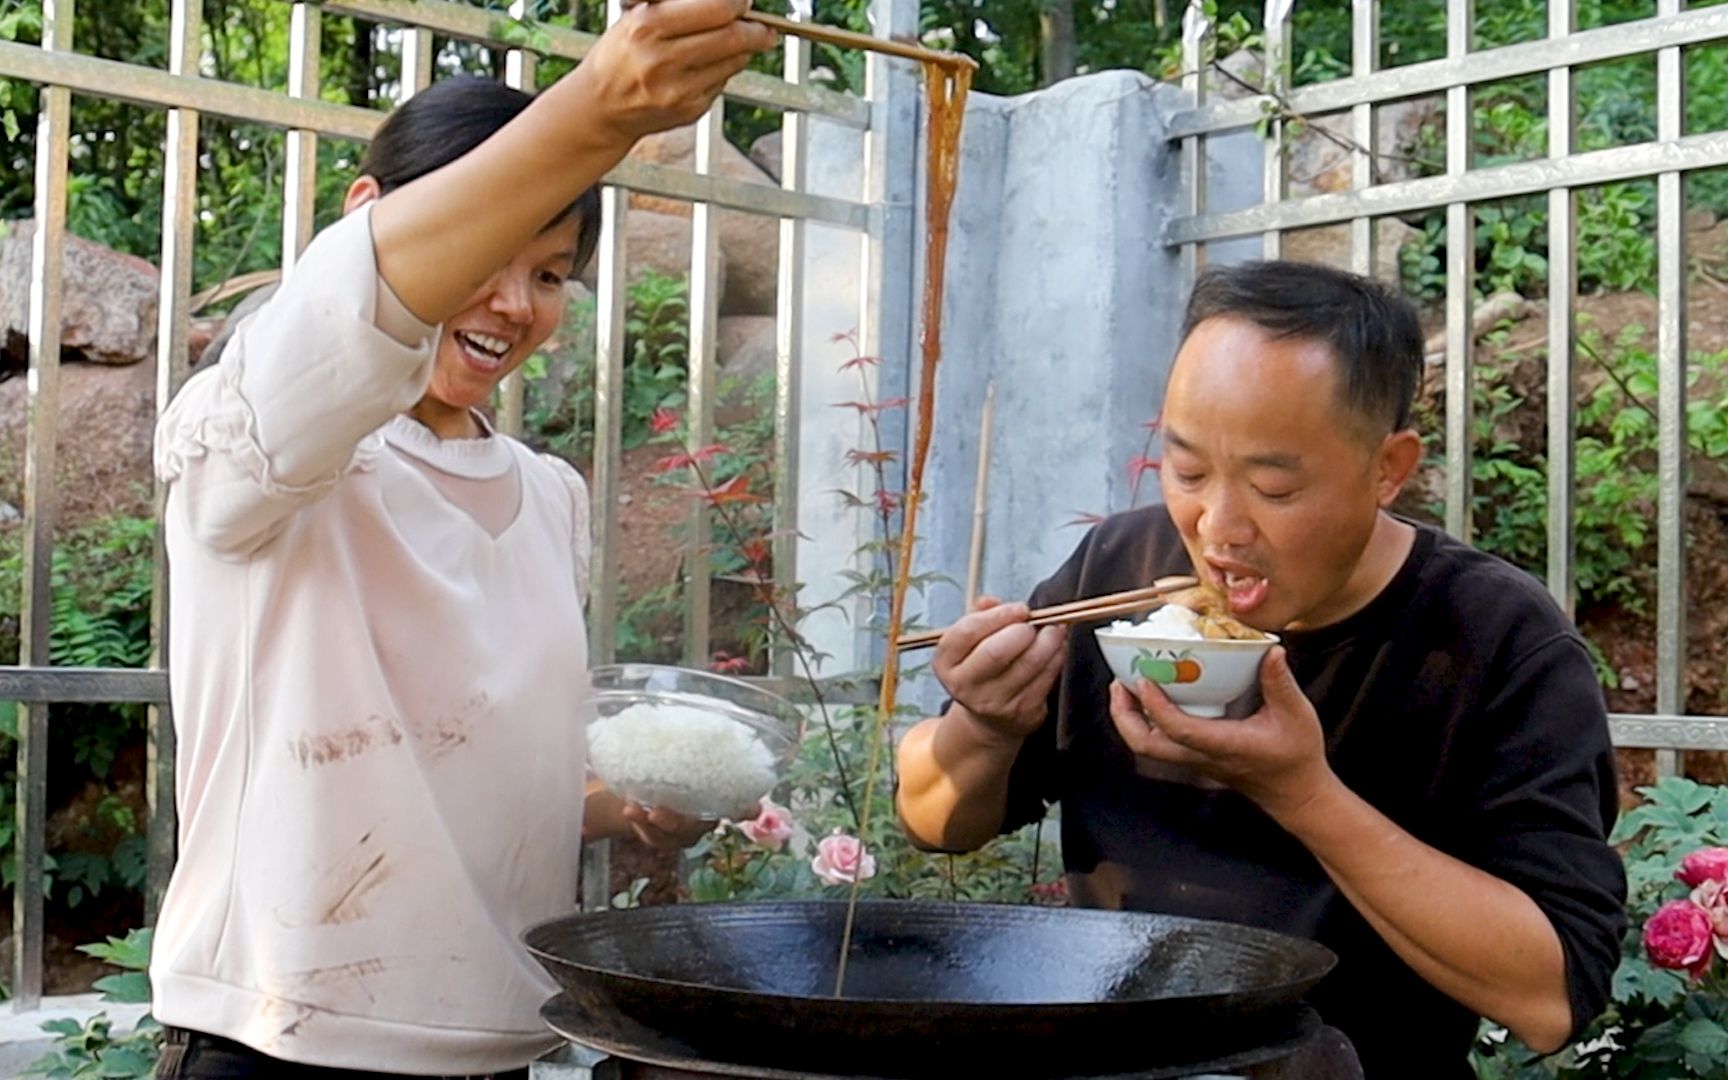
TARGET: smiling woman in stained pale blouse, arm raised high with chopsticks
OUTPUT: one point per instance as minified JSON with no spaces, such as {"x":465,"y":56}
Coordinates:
{"x":378,"y":635}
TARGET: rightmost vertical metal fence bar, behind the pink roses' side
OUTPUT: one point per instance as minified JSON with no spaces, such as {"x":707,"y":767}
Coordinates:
{"x":1672,"y":400}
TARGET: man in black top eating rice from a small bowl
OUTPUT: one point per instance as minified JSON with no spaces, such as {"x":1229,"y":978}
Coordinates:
{"x":1423,"y":780}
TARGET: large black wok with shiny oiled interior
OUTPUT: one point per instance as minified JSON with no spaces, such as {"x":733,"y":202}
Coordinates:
{"x":932,"y":989}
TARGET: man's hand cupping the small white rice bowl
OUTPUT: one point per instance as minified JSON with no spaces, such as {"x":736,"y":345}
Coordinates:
{"x":1276,"y":756}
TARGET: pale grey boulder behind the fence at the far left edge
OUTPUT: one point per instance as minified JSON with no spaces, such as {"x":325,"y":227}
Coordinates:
{"x":108,"y":310}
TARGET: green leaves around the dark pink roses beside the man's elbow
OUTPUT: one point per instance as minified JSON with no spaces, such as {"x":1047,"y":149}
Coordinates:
{"x":1660,"y":1026}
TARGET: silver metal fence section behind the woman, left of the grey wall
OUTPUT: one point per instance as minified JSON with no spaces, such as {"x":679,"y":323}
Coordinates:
{"x":882,"y":115}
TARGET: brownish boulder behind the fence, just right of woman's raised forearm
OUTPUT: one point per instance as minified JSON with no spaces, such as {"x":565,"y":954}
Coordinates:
{"x":751,"y":243}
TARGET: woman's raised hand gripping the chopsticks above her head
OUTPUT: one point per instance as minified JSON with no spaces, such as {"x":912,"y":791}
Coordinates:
{"x":664,"y":63}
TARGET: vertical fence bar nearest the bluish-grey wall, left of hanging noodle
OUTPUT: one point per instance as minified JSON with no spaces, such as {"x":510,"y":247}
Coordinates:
{"x":789,"y":341}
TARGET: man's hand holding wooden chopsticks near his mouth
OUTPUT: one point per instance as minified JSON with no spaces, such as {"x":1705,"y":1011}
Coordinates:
{"x":1001,"y":670}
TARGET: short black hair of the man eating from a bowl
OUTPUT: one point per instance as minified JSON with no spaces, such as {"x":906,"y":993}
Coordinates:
{"x":1375,"y":333}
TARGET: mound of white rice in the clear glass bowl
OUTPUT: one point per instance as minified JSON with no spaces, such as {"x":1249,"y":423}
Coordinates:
{"x":682,"y":758}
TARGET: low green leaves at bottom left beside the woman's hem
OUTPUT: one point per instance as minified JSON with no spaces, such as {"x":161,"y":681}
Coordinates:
{"x":91,"y":1048}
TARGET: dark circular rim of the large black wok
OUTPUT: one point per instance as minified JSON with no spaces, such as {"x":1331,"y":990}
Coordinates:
{"x":1323,"y":960}
